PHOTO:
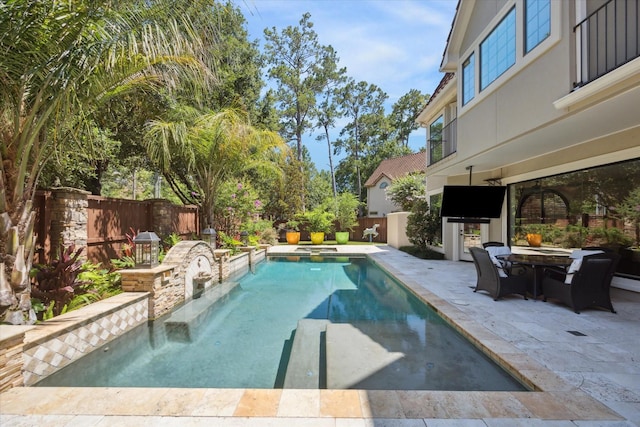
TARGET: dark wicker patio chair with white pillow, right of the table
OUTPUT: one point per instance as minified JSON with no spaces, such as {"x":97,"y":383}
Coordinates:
{"x":588,"y":286}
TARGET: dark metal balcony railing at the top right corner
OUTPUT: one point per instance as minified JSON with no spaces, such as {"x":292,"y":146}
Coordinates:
{"x":606,"y":39}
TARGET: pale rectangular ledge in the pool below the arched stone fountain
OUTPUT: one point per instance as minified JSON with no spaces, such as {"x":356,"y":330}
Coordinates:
{"x":182,"y":324}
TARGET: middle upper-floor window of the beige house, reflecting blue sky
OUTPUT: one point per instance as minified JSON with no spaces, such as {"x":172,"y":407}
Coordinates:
{"x":498,"y":50}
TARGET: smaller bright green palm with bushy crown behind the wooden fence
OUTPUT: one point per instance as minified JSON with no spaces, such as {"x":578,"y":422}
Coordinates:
{"x":201,"y":151}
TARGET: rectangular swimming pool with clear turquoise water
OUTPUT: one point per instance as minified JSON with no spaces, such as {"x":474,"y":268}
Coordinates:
{"x":241,"y":335}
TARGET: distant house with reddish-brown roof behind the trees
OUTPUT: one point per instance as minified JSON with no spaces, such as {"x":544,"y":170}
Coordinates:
{"x":377,"y":204}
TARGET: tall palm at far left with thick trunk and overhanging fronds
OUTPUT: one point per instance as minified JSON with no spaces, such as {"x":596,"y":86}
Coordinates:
{"x":59,"y":61}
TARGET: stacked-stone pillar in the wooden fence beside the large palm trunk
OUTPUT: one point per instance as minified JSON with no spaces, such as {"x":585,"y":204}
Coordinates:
{"x":69,"y":218}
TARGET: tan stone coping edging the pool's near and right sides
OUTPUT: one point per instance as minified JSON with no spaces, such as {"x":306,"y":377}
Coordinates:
{"x":551,"y":399}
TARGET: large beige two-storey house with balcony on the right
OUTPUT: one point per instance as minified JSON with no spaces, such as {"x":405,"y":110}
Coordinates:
{"x":543,"y":97}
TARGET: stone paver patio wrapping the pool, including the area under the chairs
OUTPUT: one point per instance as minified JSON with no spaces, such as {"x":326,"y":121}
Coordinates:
{"x":589,"y":379}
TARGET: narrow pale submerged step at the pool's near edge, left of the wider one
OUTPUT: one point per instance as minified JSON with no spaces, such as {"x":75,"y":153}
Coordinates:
{"x":306,"y":363}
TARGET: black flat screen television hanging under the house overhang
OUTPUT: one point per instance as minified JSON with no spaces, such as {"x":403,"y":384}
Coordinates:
{"x":472,"y":201}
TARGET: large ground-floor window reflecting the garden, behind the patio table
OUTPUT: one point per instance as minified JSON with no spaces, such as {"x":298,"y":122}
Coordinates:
{"x":574,"y":210}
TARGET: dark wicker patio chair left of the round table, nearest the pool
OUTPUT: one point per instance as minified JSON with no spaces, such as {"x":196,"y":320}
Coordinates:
{"x":491,"y":280}
